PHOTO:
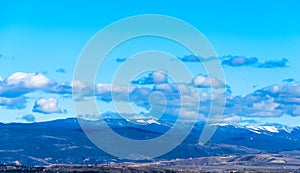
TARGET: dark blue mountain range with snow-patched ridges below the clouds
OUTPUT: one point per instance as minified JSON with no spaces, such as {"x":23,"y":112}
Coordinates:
{"x":64,"y":142}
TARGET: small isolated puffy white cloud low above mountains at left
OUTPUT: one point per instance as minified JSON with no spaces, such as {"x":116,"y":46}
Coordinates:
{"x":46,"y":106}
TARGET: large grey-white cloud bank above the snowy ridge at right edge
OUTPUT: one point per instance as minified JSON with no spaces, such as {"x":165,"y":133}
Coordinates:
{"x":275,"y":100}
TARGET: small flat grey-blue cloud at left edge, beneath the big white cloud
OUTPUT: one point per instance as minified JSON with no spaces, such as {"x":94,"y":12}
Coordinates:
{"x":13,"y":103}
